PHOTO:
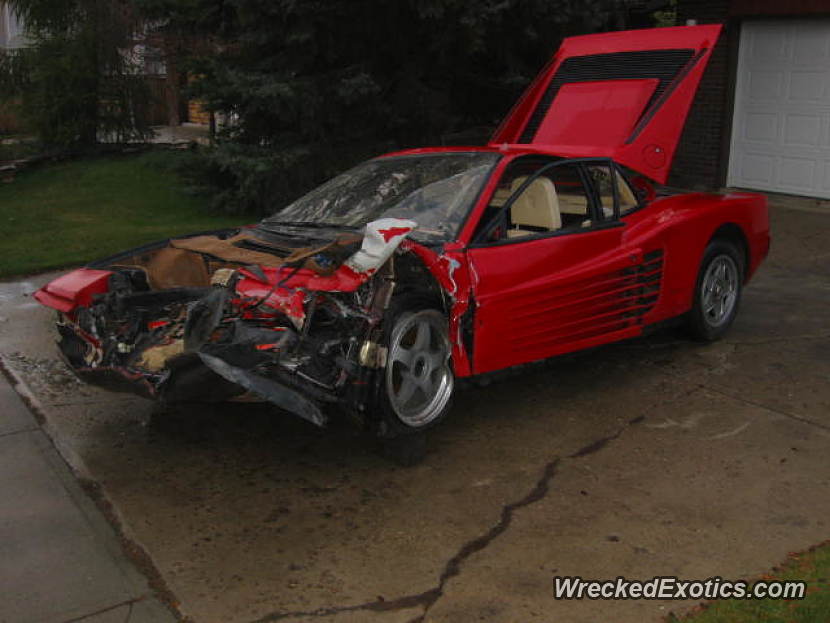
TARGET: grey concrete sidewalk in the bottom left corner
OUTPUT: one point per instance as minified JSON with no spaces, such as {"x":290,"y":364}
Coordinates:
{"x":60,"y":561}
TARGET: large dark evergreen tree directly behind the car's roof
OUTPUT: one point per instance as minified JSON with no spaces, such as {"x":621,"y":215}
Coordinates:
{"x":309,"y":87}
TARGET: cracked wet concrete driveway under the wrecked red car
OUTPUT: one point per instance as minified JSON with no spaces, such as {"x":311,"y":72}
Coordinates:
{"x":653,"y":457}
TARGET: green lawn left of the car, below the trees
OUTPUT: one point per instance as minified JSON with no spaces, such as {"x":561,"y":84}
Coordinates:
{"x":70,"y":213}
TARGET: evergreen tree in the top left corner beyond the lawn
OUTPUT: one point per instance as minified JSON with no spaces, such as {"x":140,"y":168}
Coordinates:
{"x":78,"y":81}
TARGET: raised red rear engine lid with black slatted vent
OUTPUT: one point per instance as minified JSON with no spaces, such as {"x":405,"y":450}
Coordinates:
{"x":623,"y":95}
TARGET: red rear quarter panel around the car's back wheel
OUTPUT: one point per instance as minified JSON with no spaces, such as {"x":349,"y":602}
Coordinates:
{"x":684,"y":225}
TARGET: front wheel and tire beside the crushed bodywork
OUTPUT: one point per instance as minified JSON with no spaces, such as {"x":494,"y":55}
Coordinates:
{"x":416,"y":385}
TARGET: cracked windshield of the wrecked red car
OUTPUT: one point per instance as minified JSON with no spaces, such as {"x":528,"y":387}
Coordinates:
{"x":434,"y":190}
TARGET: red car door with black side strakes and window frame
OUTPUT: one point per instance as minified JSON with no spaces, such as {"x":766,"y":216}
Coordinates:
{"x":560,"y":283}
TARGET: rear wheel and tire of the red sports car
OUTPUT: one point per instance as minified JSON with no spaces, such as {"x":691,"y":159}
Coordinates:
{"x":718,"y":291}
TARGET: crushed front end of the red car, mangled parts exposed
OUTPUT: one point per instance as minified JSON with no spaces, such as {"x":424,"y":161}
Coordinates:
{"x":235,"y":315}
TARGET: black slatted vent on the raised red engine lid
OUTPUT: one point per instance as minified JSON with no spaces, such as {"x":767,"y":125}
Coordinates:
{"x":661,"y":65}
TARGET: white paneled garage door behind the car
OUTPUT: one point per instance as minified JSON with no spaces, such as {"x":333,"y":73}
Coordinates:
{"x":781,"y":129}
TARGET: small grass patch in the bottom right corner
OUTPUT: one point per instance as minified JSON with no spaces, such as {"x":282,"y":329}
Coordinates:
{"x":812,"y":566}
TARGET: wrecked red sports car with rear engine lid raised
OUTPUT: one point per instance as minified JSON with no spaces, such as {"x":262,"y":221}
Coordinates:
{"x":374,"y":293}
